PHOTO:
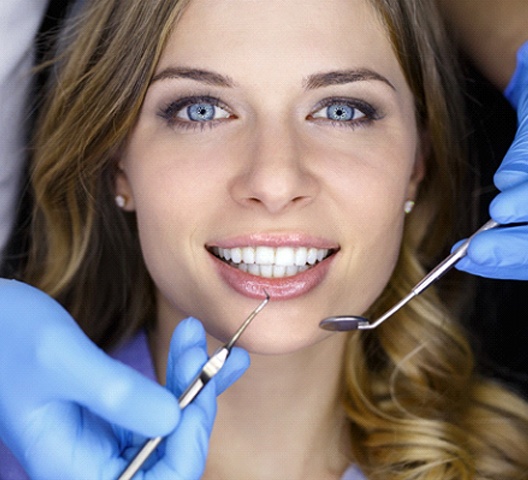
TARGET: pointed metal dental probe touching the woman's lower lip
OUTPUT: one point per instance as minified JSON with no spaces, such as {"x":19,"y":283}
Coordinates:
{"x":208,"y":371}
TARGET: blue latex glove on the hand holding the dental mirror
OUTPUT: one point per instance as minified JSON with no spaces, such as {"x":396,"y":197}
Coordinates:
{"x":503,"y":252}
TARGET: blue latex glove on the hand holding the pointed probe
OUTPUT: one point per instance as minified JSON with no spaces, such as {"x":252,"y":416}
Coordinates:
{"x":67,"y":409}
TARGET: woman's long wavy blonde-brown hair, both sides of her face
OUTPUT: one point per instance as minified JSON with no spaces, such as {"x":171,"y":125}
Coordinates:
{"x":417,"y":407}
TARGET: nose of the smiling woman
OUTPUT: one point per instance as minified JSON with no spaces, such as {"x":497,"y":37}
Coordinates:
{"x":275,"y":173}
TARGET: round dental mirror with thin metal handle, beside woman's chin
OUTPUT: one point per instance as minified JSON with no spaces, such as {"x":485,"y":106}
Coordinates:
{"x":345,"y":323}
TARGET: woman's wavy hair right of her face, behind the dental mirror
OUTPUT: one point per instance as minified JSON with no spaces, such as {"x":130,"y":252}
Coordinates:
{"x":417,"y":407}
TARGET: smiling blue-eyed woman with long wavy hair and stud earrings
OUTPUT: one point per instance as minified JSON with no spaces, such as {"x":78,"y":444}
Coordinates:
{"x":242,"y":161}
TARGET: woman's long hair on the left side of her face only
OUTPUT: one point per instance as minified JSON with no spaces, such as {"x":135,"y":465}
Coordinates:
{"x":85,"y":251}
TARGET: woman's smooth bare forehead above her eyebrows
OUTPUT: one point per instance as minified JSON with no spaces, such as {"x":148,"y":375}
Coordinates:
{"x":275,"y":37}
